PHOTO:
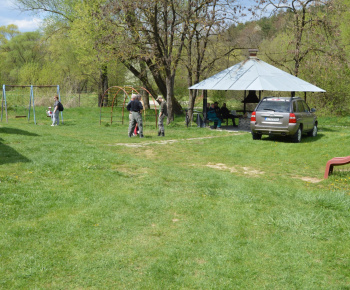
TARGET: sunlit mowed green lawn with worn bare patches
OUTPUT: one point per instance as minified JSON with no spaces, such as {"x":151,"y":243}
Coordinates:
{"x":84,"y":206}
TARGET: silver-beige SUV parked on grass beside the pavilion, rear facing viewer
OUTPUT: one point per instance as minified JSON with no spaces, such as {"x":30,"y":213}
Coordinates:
{"x":283,"y":116}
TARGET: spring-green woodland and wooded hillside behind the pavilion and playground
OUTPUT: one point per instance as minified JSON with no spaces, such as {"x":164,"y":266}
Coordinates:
{"x":166,"y":46}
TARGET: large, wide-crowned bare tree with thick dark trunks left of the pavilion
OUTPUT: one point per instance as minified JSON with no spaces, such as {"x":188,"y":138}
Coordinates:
{"x":155,"y":32}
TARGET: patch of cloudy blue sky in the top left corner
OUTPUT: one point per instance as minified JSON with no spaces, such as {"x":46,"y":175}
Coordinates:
{"x":10,"y":15}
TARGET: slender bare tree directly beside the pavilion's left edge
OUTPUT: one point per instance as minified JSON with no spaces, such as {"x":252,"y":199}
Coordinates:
{"x":208,"y":41}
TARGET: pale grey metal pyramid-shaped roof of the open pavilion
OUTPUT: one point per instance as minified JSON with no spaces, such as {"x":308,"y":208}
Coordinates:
{"x":257,"y":75}
